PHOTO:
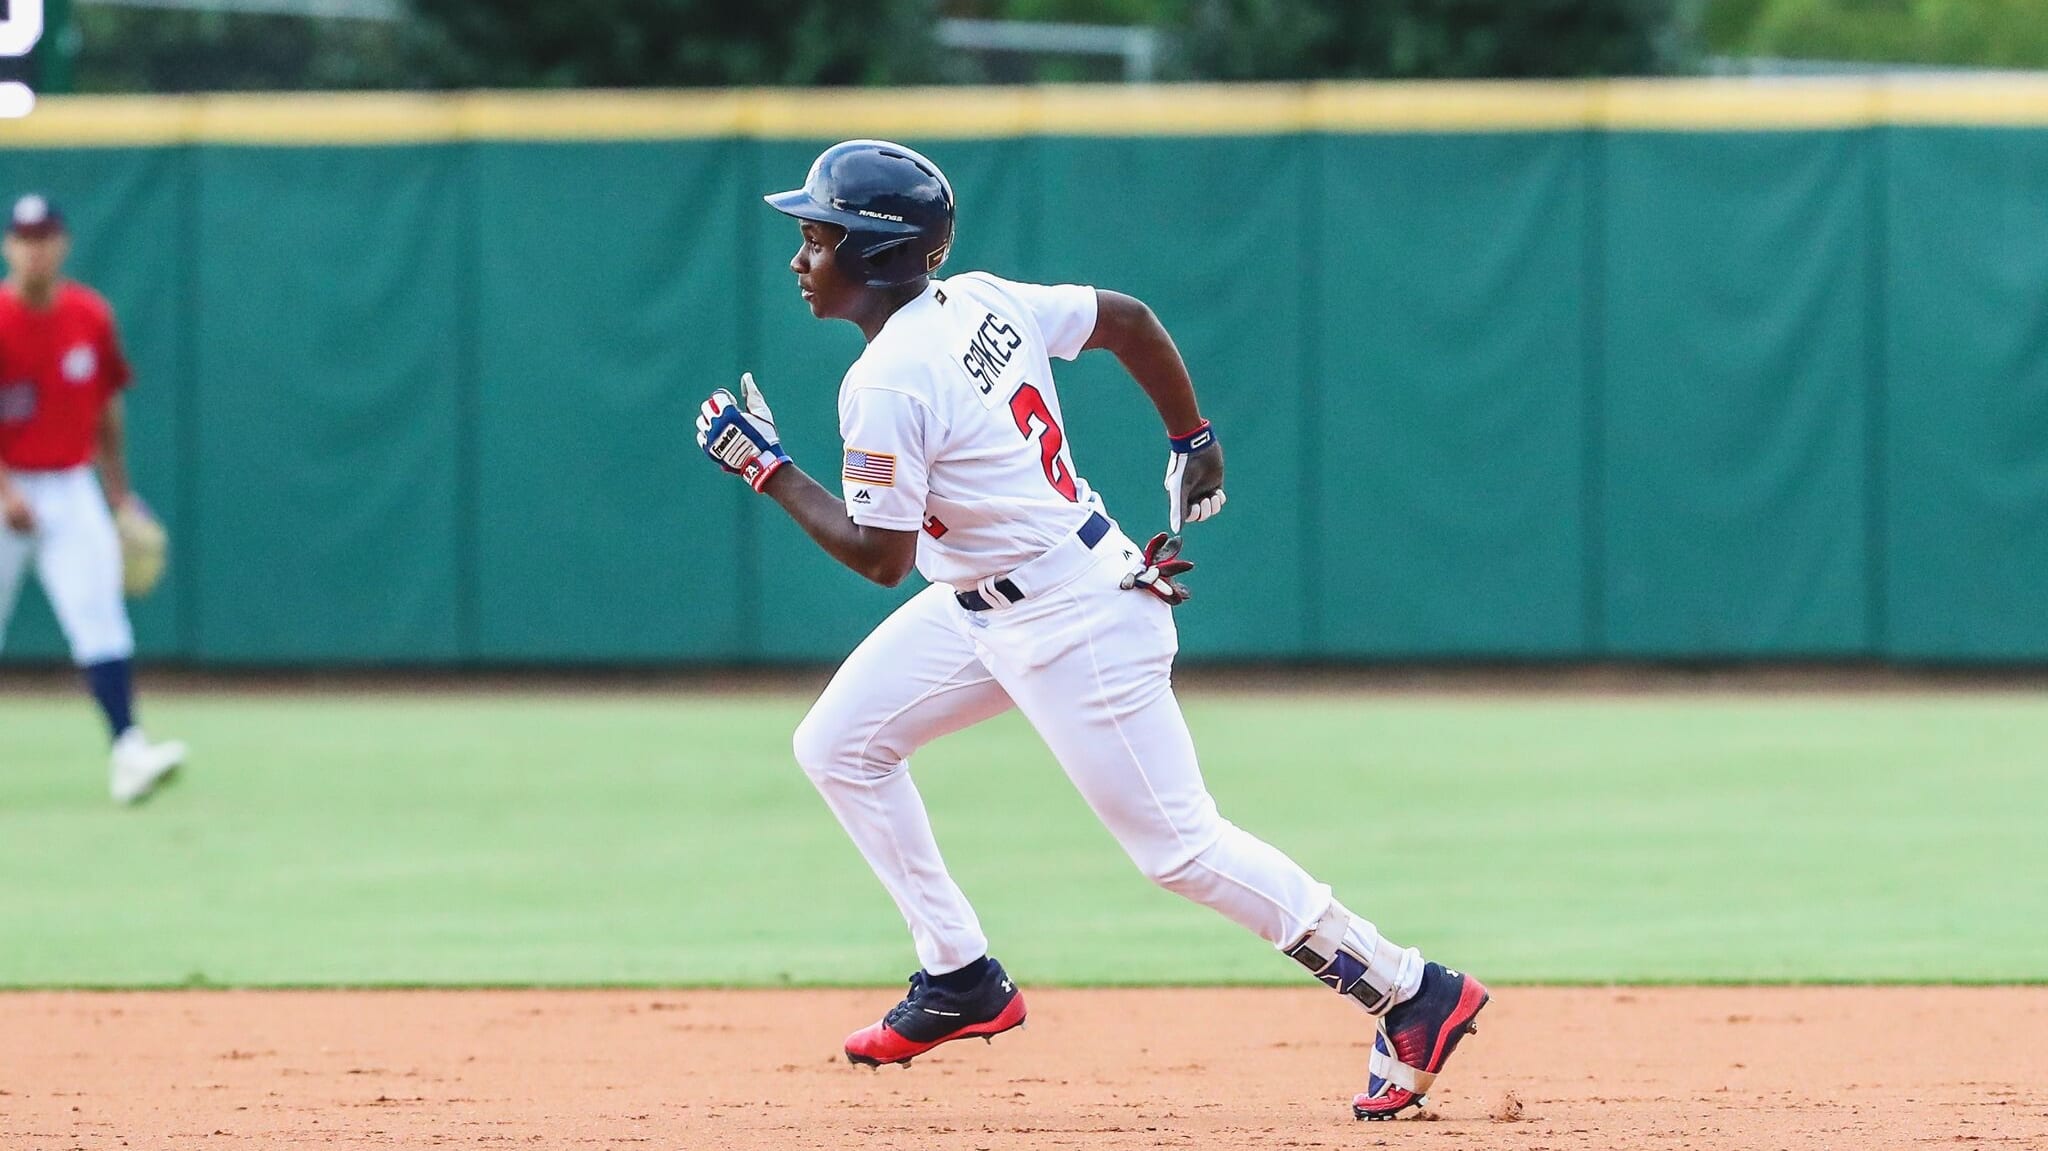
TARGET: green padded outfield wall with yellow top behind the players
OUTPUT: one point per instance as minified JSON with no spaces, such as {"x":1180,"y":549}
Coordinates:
{"x":1562,"y":372}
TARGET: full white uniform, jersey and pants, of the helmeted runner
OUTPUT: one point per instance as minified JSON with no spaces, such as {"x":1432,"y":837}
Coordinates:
{"x":953,"y":429}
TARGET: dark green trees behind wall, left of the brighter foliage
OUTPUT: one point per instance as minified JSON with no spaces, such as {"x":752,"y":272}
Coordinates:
{"x":634,"y":44}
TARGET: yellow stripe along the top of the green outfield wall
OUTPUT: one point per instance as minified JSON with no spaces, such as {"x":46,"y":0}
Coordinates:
{"x":982,"y":114}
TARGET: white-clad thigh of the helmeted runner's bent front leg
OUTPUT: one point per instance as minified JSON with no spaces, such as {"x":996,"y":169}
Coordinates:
{"x":914,"y":679}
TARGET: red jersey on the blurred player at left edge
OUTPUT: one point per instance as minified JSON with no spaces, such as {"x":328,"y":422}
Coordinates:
{"x":58,"y":372}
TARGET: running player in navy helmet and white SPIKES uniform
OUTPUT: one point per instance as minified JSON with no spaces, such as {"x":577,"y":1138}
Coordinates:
{"x":959,"y":464}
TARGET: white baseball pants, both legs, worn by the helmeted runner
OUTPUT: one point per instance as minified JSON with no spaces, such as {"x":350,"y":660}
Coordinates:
{"x":1091,"y":667}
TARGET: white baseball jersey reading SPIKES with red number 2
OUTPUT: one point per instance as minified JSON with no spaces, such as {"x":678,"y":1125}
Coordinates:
{"x":953,"y":425}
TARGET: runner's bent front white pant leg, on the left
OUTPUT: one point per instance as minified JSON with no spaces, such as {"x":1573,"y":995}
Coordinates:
{"x":912,"y":681}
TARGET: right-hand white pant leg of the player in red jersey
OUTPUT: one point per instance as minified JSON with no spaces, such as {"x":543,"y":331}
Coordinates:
{"x":79,"y":562}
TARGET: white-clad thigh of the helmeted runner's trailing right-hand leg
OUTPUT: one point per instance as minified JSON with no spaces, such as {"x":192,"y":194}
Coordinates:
{"x":1103,"y":699}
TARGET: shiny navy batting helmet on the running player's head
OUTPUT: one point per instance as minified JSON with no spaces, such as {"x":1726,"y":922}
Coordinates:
{"x":894,"y":206}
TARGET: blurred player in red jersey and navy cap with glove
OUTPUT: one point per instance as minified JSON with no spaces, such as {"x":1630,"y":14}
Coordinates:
{"x":60,"y":413}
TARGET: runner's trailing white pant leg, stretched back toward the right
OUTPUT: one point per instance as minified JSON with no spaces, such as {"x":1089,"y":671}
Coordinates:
{"x":1091,"y":667}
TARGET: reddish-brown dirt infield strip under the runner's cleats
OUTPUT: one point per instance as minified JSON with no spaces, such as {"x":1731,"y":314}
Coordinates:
{"x":1553,"y":1070}
